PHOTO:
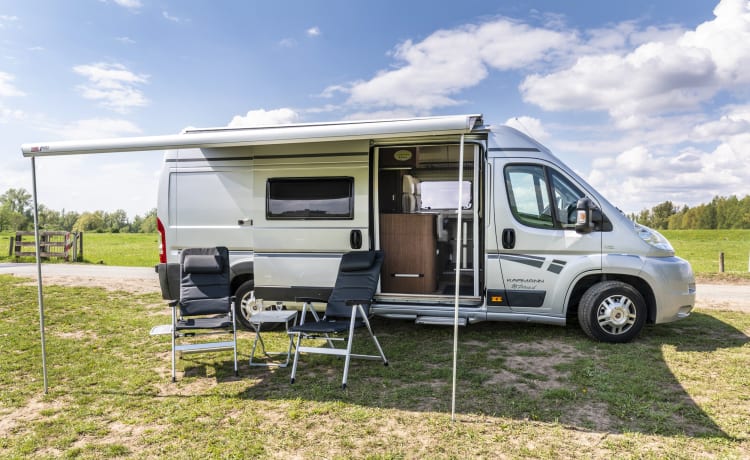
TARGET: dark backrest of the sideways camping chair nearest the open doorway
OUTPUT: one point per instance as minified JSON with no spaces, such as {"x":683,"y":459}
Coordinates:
{"x":357,"y":279}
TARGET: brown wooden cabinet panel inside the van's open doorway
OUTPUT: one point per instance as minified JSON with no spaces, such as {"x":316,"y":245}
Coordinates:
{"x":410,"y":243}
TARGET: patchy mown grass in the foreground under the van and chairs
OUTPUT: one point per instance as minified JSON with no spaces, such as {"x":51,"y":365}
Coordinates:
{"x":679,"y":391}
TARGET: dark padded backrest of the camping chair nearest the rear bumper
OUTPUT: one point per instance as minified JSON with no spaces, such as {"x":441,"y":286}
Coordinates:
{"x":204,"y":281}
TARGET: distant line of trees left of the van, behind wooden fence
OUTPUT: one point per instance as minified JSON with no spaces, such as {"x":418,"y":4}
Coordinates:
{"x":17,"y":214}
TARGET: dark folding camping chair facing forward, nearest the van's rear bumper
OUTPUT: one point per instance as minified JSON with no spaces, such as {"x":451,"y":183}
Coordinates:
{"x":205,"y":305}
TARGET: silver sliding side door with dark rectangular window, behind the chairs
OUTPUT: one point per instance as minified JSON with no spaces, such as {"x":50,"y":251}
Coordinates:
{"x":301,"y":249}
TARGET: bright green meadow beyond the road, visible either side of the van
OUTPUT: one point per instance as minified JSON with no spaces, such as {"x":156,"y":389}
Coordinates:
{"x":700,"y":247}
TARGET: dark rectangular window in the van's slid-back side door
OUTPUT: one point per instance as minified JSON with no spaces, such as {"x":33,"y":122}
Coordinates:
{"x":310,"y":198}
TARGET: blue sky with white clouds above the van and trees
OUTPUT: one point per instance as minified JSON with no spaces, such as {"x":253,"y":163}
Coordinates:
{"x":649,"y":101}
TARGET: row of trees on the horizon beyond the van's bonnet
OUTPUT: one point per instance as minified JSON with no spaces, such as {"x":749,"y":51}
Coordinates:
{"x":721,"y":213}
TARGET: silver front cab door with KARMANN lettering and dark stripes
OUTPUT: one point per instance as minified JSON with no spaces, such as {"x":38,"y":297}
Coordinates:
{"x":539,"y":251}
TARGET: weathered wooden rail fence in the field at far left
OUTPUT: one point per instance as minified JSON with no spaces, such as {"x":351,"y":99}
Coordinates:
{"x":65,"y":245}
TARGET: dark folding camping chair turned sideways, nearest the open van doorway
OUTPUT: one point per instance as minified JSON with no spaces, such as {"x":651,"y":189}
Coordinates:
{"x":347,"y":308}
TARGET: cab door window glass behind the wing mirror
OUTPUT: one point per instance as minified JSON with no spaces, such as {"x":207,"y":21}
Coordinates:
{"x":540,"y":197}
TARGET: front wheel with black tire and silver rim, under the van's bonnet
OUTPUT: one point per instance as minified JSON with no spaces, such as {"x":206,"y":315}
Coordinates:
{"x":612,"y":311}
